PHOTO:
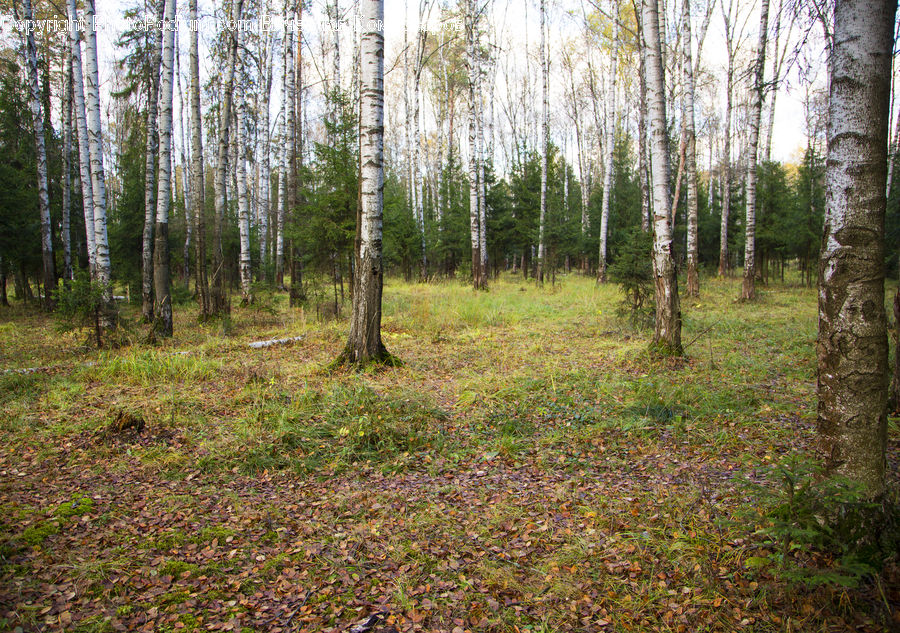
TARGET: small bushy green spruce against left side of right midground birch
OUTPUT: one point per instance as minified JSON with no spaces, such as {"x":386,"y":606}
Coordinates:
{"x":633,"y":270}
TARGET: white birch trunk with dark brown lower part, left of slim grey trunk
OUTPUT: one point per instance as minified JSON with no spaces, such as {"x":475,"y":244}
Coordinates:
{"x":161,"y":278}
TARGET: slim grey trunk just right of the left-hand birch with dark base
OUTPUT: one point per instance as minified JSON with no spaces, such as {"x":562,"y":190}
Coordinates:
{"x":197,"y":180}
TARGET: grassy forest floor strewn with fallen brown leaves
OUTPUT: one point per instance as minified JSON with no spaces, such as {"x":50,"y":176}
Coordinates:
{"x":530,"y":467}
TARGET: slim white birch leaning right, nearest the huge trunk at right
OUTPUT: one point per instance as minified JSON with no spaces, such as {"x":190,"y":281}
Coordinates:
{"x":748,"y":288}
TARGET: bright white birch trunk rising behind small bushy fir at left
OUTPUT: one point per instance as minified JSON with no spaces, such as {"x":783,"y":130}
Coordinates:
{"x":95,"y":145}
